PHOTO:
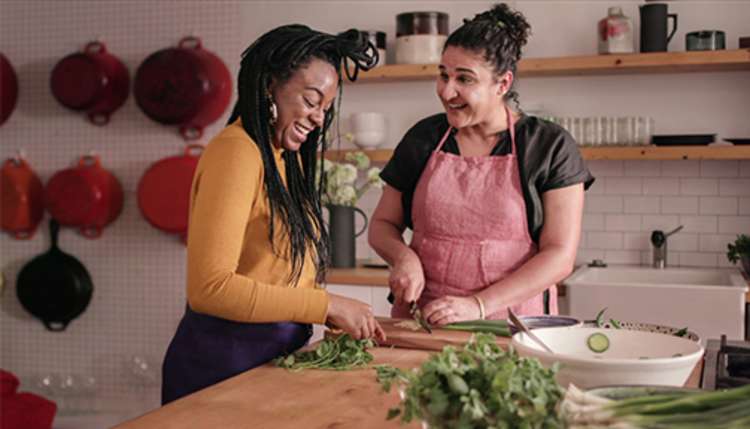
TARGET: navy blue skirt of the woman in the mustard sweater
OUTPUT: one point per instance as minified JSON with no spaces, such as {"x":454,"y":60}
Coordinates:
{"x":206,"y":350}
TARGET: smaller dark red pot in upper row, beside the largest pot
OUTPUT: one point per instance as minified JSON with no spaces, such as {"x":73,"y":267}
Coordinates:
{"x":93,"y":81}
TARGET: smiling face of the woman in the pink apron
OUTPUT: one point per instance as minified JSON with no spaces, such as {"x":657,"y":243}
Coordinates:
{"x":470,"y":90}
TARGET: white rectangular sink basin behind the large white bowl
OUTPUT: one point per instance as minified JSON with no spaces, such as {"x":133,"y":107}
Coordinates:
{"x":708,"y":301}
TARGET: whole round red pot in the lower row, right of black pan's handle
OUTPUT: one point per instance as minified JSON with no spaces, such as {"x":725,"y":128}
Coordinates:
{"x":86,"y":196}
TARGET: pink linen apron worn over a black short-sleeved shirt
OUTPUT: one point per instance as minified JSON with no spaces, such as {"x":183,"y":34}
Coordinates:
{"x":470,"y":226}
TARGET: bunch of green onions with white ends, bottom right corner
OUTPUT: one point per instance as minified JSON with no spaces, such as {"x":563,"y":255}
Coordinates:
{"x":728,"y":409}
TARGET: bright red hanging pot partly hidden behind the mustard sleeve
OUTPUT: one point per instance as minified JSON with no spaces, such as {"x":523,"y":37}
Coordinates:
{"x":164,"y":191}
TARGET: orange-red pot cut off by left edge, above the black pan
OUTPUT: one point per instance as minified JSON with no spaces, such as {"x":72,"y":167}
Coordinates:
{"x":22,"y":198}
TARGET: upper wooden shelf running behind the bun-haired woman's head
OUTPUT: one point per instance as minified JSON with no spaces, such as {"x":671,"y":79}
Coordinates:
{"x":656,"y":62}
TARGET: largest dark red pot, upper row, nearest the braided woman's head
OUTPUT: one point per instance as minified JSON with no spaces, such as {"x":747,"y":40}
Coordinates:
{"x":186,"y":86}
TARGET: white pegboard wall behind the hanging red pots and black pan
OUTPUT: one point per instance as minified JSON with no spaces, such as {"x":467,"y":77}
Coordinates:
{"x":138,"y":271}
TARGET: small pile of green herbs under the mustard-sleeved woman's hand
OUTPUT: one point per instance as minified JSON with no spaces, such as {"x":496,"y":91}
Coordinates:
{"x":340,"y":354}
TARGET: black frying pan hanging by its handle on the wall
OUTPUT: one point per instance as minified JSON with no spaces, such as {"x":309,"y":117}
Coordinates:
{"x":55,"y":287}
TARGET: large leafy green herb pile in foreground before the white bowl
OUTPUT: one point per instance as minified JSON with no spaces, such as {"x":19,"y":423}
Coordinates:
{"x":480,"y":386}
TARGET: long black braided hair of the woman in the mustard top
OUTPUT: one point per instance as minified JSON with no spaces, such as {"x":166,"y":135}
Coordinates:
{"x":275,"y":56}
